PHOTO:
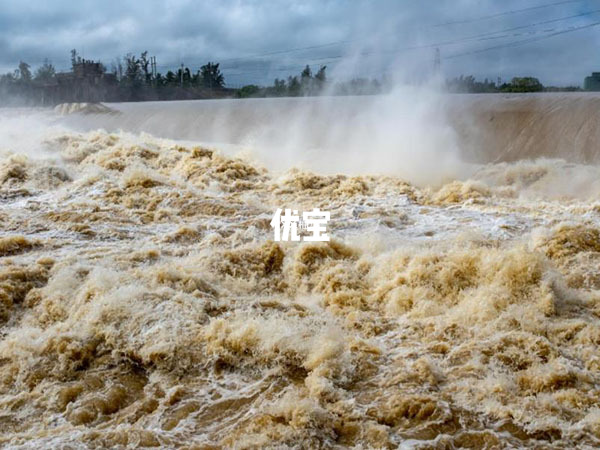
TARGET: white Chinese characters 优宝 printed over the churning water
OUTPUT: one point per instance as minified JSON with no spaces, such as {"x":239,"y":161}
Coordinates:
{"x":285,"y":226}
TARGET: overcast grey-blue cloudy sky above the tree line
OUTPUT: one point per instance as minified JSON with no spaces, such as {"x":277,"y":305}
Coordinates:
{"x":256,"y":41}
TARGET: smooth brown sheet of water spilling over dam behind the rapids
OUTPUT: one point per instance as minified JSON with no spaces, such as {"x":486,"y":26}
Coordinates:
{"x":488,"y":127}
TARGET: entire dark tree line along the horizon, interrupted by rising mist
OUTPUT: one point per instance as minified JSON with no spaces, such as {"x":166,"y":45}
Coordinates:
{"x":136,"y":78}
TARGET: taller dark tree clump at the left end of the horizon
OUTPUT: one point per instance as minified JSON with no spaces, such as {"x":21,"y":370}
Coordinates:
{"x":133,"y":78}
